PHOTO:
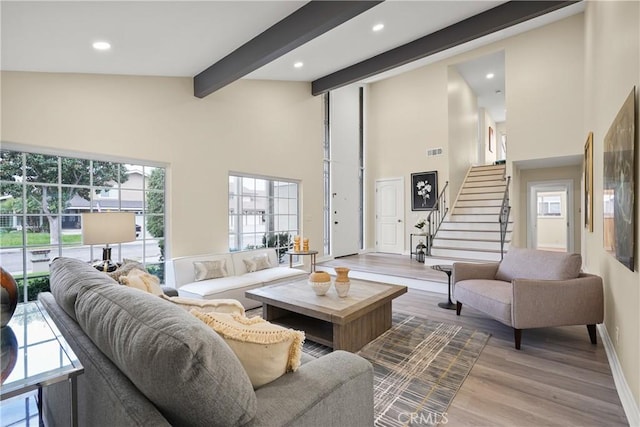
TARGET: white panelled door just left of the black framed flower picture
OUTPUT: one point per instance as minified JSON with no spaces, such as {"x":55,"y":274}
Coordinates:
{"x":390,"y":215}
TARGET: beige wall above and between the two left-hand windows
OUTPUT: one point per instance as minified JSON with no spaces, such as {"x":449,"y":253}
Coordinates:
{"x":267,"y":128}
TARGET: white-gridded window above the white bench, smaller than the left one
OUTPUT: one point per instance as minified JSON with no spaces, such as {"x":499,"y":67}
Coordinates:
{"x":263,"y":213}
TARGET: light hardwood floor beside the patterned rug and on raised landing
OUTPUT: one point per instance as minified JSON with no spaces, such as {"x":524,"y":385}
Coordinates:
{"x":558,"y":378}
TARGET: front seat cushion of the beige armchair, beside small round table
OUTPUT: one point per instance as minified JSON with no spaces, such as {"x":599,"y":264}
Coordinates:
{"x":489,"y":296}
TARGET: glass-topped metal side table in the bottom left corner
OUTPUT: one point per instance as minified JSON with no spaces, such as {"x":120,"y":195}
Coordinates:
{"x":45,"y":357}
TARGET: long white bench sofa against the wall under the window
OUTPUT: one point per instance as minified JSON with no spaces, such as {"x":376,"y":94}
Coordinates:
{"x":181,"y":275}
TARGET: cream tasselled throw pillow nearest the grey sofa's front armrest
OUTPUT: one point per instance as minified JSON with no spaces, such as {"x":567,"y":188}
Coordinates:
{"x":266,"y":351}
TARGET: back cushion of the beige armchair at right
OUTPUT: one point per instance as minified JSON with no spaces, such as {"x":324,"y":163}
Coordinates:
{"x":533,"y":264}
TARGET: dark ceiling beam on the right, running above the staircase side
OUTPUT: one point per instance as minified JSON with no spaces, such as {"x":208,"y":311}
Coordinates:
{"x":487,"y":22}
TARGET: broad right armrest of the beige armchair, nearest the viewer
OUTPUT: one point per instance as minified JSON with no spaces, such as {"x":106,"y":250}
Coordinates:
{"x":542,"y":303}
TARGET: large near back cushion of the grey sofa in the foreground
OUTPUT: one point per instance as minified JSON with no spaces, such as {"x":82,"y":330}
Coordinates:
{"x":175,"y":360}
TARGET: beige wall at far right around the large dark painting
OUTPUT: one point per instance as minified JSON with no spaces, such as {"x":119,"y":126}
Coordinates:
{"x":612,"y":66}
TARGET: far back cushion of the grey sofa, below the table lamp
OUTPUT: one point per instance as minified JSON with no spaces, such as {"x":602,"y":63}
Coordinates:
{"x":65,"y":282}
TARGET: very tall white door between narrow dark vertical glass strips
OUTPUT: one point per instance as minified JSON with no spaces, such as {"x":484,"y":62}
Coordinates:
{"x":345,"y":171}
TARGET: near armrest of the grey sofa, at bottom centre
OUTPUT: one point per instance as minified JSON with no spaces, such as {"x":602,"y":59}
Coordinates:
{"x":333,"y":390}
